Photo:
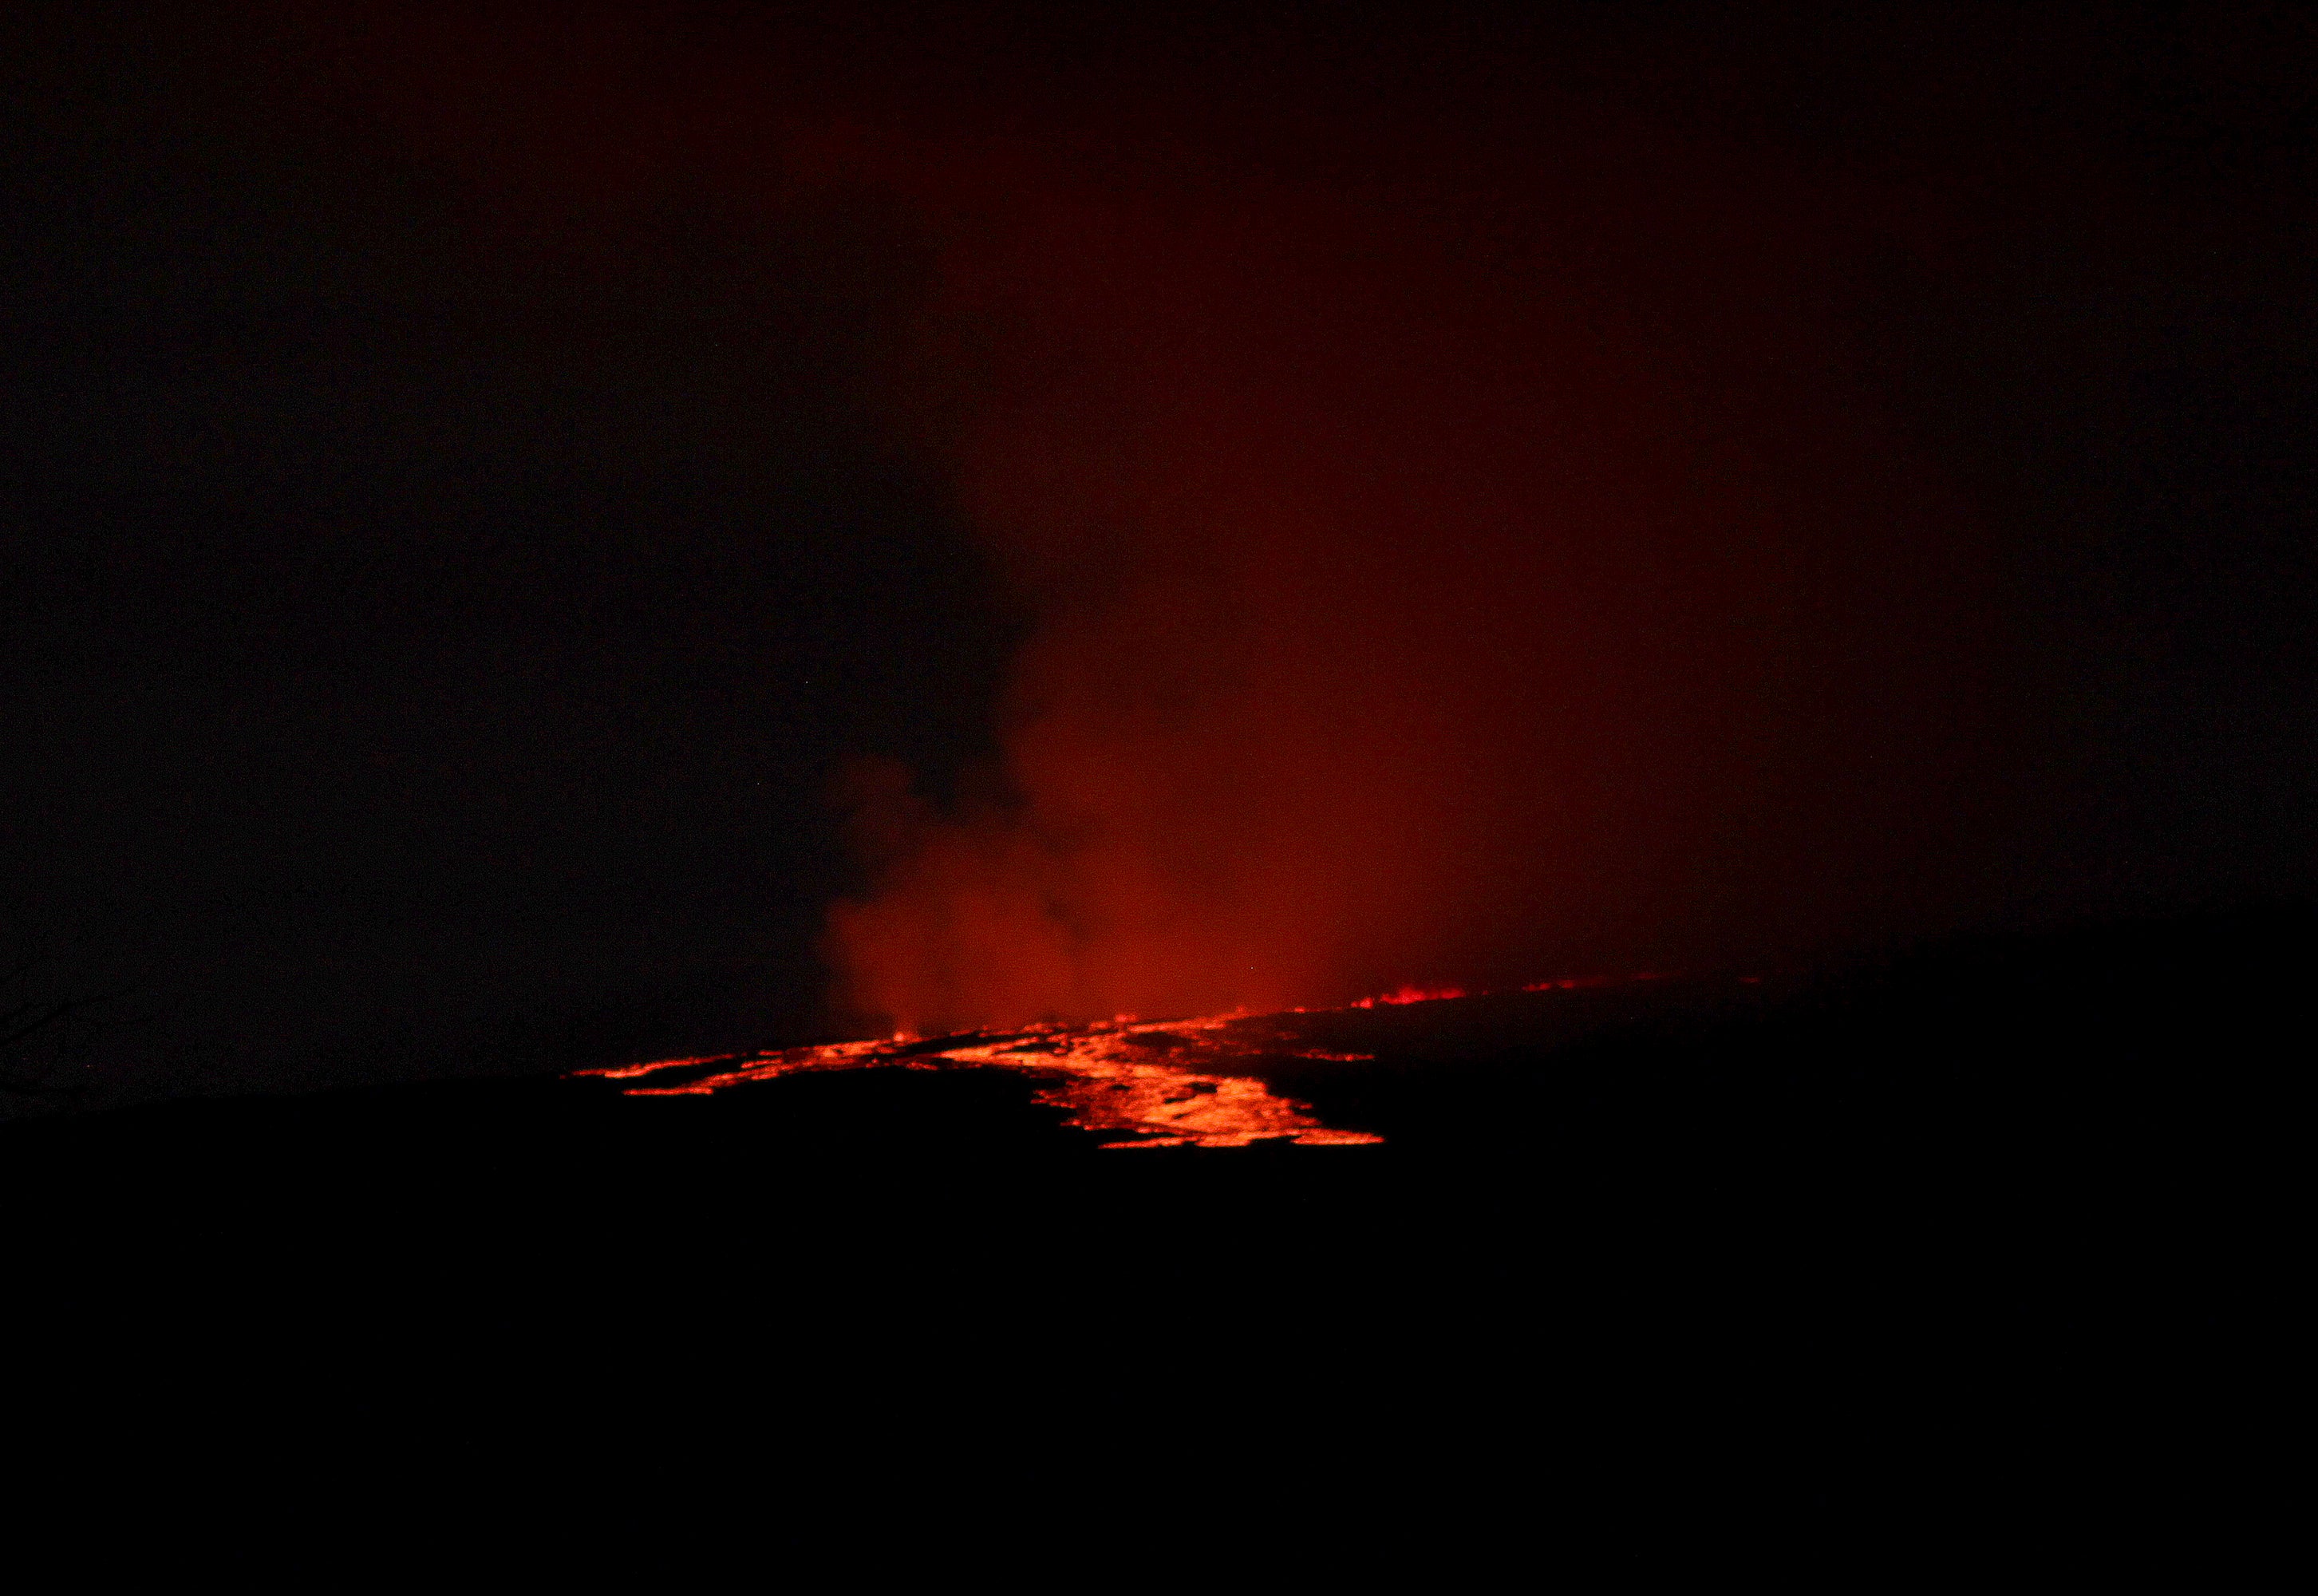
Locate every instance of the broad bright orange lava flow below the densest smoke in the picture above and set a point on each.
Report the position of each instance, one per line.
(1144, 1082)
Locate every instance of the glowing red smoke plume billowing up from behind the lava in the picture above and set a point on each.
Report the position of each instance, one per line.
(1450, 560)
